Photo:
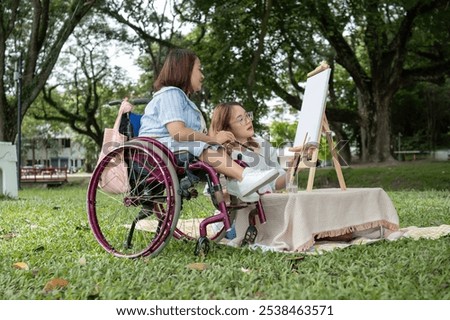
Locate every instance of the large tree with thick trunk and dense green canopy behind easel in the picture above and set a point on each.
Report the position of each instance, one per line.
(268, 47)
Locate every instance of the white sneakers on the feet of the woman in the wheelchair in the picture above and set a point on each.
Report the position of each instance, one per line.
(252, 180)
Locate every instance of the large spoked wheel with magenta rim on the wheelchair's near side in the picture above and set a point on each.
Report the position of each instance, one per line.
(134, 215)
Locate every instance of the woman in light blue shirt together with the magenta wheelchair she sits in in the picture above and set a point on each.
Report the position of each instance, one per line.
(171, 157)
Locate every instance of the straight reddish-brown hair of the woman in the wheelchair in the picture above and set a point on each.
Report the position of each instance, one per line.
(177, 70)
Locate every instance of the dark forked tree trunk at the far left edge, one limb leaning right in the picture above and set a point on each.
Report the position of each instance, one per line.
(45, 42)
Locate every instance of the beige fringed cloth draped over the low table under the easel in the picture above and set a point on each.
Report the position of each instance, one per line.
(294, 220)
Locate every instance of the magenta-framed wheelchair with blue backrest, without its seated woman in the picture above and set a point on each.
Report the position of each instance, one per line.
(160, 199)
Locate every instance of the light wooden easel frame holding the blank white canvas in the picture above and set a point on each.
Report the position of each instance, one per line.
(303, 159)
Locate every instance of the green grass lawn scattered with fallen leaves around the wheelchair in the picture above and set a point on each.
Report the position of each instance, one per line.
(48, 230)
